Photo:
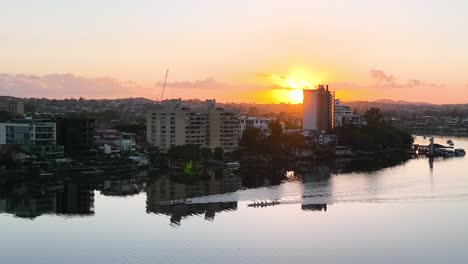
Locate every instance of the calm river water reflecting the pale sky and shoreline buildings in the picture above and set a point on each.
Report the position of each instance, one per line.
(409, 213)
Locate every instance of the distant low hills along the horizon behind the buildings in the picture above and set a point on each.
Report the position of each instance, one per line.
(140, 105)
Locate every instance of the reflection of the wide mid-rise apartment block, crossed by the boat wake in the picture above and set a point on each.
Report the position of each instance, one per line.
(164, 189)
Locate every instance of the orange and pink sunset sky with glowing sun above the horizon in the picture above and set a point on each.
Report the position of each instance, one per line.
(261, 51)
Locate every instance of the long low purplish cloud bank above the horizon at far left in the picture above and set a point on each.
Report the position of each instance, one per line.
(67, 85)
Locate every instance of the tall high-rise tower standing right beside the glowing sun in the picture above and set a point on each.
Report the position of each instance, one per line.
(318, 112)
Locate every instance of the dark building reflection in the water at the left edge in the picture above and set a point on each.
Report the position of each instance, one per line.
(30, 200)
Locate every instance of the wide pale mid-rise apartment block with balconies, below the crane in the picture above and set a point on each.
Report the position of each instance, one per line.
(173, 124)
